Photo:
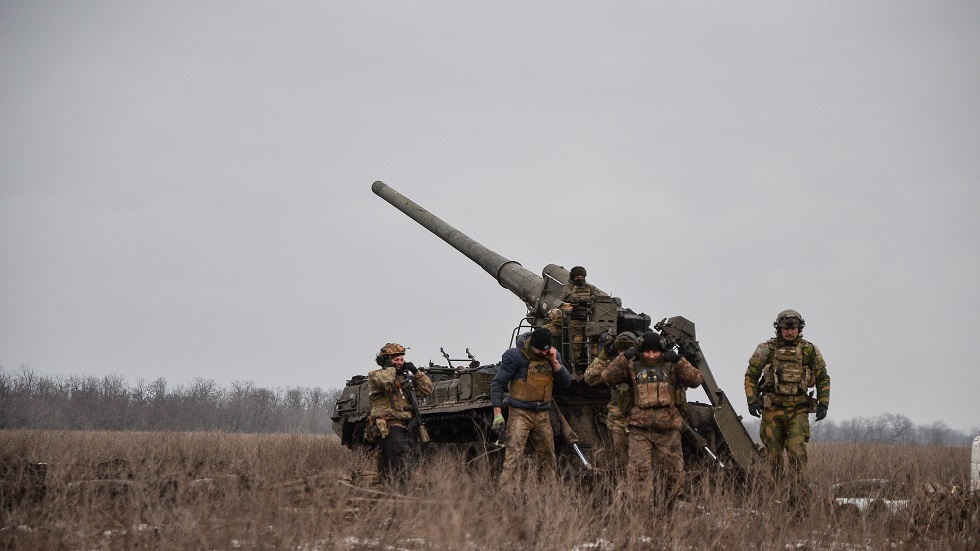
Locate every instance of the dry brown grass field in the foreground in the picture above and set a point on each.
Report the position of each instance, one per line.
(222, 491)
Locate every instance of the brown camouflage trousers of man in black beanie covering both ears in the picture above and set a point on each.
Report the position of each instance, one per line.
(655, 462)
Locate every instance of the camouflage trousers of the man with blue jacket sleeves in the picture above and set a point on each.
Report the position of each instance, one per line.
(522, 423)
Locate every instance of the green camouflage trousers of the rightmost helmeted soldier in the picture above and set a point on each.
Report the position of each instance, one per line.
(786, 428)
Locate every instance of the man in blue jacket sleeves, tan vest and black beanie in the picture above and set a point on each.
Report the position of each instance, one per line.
(528, 374)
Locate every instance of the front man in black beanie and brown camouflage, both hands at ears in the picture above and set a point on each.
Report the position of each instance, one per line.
(659, 379)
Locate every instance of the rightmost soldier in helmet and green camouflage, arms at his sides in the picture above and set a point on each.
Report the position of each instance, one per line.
(787, 365)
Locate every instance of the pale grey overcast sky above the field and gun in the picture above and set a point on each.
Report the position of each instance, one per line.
(185, 186)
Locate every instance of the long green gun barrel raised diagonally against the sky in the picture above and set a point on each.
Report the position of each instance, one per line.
(529, 287)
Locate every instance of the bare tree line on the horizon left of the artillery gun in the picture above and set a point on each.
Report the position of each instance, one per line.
(29, 400)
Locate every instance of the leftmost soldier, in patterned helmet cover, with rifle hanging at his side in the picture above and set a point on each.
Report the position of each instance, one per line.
(391, 412)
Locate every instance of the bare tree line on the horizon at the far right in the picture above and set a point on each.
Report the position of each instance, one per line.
(887, 428)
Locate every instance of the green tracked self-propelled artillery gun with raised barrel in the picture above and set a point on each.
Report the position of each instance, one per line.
(459, 412)
